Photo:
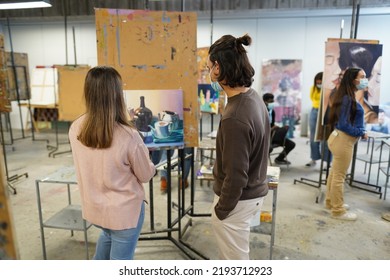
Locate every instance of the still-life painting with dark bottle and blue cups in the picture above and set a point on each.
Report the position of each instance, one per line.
(158, 116)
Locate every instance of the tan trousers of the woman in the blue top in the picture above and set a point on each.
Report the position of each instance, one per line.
(341, 146)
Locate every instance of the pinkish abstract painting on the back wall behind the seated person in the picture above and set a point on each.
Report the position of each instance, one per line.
(282, 78)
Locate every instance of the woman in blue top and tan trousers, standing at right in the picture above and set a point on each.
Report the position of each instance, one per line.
(347, 118)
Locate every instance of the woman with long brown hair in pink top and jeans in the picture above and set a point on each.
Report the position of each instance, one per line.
(112, 162)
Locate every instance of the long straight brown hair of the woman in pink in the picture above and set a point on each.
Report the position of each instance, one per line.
(105, 107)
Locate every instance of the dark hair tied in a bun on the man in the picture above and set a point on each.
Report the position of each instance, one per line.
(231, 56)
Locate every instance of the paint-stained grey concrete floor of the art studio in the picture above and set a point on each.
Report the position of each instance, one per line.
(304, 231)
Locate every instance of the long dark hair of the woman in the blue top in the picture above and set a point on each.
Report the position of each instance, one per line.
(346, 88)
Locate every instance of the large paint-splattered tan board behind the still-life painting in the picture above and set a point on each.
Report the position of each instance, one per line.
(153, 50)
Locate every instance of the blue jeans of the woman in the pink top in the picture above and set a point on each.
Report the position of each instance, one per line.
(119, 244)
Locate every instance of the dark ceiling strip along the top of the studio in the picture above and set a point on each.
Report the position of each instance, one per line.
(85, 8)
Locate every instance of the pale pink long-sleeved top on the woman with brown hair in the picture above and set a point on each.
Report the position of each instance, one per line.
(111, 180)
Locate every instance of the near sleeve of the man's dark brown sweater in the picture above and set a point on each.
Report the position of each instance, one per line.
(235, 158)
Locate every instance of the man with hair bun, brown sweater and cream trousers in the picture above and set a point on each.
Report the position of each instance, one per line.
(242, 146)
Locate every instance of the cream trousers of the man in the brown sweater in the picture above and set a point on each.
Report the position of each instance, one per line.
(232, 233)
